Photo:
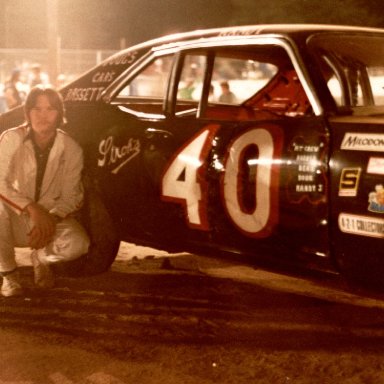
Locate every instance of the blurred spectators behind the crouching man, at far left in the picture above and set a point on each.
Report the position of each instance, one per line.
(14, 90)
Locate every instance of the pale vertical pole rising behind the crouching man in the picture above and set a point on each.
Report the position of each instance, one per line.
(53, 41)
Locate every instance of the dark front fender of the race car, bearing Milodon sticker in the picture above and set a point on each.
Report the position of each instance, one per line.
(357, 195)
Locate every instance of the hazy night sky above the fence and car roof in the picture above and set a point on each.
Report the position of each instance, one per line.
(112, 24)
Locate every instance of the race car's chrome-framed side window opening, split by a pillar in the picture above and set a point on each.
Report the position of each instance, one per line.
(243, 85)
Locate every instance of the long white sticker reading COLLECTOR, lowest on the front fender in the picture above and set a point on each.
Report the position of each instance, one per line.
(361, 225)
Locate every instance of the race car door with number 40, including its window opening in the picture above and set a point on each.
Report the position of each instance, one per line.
(244, 174)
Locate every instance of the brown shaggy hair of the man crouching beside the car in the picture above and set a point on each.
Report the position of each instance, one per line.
(54, 98)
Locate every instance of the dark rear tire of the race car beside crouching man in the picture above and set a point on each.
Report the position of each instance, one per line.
(104, 240)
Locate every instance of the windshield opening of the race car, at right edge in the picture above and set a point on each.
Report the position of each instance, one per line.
(353, 68)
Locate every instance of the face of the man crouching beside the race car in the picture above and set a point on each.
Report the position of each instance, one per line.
(43, 117)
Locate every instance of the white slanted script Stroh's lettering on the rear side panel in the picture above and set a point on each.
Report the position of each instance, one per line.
(117, 156)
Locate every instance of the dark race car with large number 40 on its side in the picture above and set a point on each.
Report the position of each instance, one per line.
(261, 142)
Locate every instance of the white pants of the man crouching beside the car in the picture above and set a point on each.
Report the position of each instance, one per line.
(69, 242)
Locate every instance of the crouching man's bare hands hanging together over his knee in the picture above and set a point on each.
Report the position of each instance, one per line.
(44, 225)
